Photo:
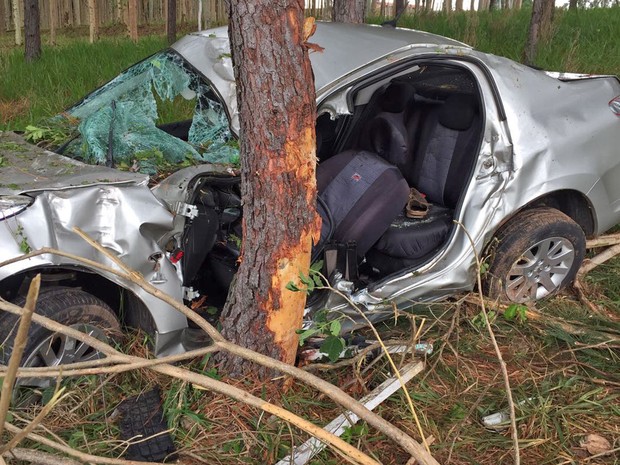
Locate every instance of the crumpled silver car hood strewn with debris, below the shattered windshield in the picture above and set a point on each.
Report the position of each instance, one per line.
(27, 168)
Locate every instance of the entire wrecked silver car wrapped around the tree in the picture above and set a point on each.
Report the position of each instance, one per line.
(430, 154)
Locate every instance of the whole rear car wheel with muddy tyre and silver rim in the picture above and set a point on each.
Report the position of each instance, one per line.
(535, 254)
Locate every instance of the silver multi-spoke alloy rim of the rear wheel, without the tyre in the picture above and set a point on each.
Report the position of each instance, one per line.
(540, 270)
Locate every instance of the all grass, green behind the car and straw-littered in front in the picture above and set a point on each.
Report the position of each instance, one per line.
(564, 368)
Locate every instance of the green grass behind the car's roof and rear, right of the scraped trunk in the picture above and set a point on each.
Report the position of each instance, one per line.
(584, 41)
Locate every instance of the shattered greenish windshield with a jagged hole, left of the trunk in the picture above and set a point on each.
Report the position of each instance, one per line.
(158, 115)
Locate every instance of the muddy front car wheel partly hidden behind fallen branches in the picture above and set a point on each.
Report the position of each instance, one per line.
(71, 307)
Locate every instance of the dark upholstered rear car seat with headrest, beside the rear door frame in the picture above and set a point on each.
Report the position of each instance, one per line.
(445, 150)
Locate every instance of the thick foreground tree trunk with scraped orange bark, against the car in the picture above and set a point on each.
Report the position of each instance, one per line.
(275, 91)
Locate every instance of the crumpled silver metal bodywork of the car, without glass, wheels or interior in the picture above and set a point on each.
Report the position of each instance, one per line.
(544, 135)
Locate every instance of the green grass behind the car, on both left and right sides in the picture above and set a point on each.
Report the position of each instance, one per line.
(581, 41)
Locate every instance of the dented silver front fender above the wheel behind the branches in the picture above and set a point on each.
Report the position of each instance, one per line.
(127, 220)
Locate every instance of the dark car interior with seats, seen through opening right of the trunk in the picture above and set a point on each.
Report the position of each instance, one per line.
(427, 126)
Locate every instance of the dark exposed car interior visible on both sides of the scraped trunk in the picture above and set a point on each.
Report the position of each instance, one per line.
(421, 129)
